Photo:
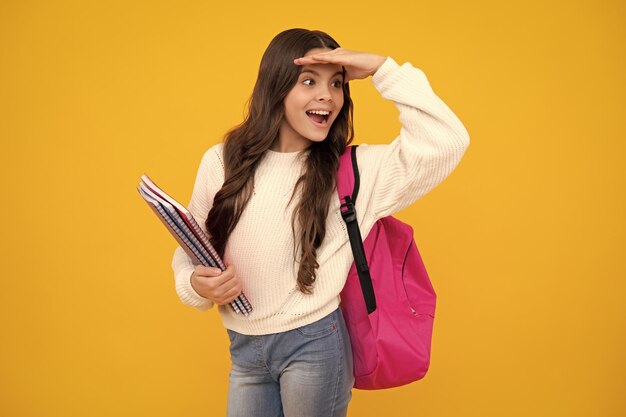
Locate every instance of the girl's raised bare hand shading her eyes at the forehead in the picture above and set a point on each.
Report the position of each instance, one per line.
(358, 65)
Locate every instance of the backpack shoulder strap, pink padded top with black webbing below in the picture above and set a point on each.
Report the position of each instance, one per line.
(348, 189)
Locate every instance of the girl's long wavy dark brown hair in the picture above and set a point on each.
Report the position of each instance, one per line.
(246, 143)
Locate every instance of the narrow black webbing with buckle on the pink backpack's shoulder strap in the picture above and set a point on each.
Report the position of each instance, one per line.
(356, 241)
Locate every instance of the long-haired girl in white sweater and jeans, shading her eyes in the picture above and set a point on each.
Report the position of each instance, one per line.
(269, 199)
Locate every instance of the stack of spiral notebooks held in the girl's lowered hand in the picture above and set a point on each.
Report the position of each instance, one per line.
(187, 233)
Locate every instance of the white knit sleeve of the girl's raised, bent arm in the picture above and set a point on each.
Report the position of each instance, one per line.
(430, 145)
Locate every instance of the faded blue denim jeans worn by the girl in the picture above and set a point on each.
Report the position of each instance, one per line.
(304, 372)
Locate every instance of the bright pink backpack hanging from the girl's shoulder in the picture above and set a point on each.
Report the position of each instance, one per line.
(389, 306)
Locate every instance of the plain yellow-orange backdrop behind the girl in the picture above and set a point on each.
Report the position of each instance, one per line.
(524, 242)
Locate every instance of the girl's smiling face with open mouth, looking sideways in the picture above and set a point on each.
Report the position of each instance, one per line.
(312, 105)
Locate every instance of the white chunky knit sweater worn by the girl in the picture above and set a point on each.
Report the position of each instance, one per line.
(431, 143)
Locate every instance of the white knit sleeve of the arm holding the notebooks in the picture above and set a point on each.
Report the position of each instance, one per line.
(209, 179)
